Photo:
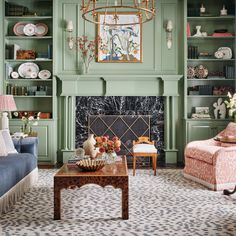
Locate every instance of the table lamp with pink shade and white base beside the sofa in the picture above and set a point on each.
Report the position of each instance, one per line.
(7, 104)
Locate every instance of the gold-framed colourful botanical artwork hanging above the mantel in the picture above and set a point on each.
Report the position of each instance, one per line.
(119, 44)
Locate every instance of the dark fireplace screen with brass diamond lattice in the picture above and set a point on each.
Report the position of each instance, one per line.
(126, 127)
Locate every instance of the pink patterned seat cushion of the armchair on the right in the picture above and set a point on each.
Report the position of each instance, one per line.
(197, 150)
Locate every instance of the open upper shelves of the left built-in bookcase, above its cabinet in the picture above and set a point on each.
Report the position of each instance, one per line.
(28, 39)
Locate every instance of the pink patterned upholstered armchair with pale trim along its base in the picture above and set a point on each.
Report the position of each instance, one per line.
(212, 163)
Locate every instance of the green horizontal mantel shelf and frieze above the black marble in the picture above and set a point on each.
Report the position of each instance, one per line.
(118, 85)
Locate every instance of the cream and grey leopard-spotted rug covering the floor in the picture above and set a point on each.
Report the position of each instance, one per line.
(166, 204)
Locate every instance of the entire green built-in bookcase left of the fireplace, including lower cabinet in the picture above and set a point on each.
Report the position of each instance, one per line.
(28, 66)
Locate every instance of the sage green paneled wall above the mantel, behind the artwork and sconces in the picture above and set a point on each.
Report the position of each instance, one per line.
(157, 59)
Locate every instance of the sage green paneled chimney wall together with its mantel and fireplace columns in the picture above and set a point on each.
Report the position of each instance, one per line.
(121, 79)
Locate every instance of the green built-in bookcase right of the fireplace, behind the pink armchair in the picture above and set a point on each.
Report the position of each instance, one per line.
(209, 65)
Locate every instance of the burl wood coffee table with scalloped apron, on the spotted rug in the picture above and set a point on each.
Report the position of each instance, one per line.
(70, 176)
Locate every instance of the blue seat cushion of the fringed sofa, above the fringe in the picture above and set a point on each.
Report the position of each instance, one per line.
(14, 168)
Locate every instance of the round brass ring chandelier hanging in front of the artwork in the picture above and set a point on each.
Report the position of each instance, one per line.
(144, 9)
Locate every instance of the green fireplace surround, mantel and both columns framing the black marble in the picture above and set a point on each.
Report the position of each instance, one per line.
(125, 85)
